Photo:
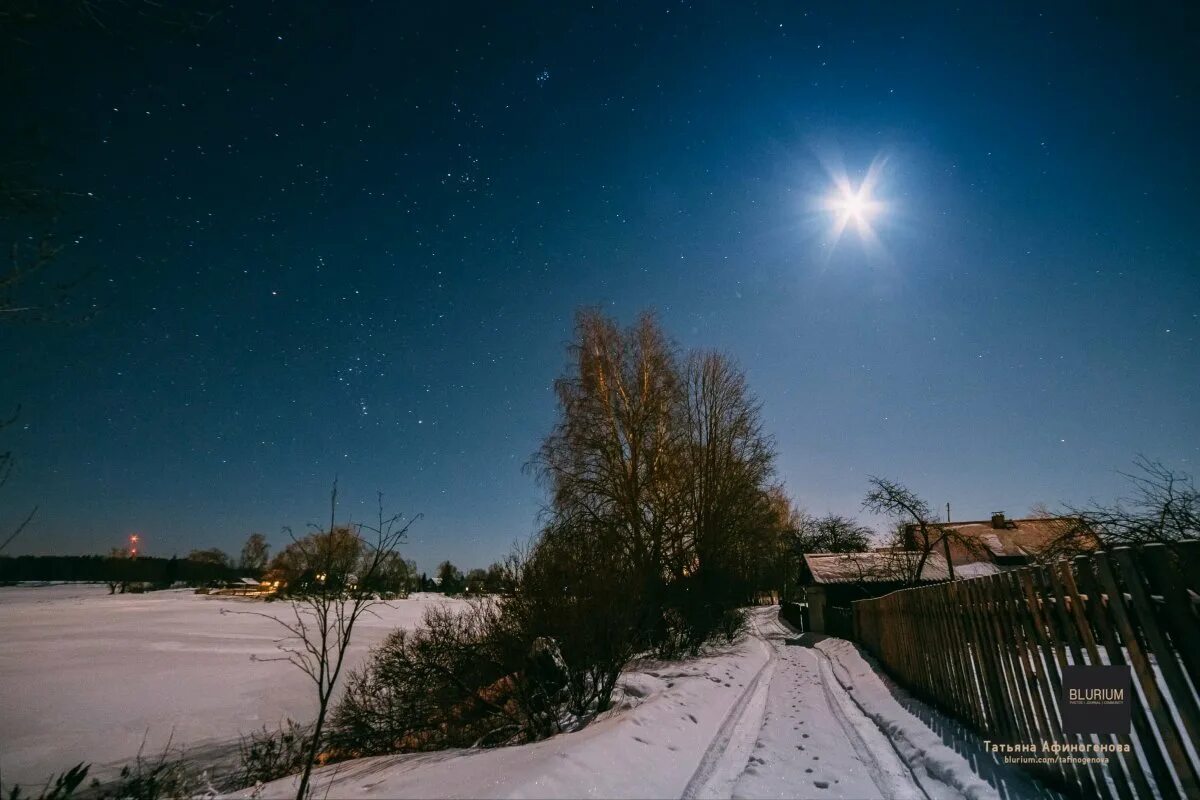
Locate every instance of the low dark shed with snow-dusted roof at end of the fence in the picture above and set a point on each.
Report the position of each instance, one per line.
(832, 581)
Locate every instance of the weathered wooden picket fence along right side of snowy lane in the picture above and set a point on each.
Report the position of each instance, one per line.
(991, 652)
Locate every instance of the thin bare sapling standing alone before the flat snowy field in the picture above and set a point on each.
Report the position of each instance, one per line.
(326, 609)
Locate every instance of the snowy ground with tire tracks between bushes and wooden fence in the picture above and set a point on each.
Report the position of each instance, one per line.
(776, 715)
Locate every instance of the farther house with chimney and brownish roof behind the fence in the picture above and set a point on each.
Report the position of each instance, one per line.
(991, 546)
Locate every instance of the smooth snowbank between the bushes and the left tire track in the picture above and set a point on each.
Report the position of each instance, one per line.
(650, 747)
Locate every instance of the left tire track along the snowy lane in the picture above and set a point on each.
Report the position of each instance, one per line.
(728, 755)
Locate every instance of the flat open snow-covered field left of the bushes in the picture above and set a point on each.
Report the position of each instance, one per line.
(87, 676)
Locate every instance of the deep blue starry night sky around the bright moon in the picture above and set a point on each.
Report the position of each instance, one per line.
(347, 240)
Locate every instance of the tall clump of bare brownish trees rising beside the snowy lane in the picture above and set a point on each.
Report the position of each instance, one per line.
(663, 466)
